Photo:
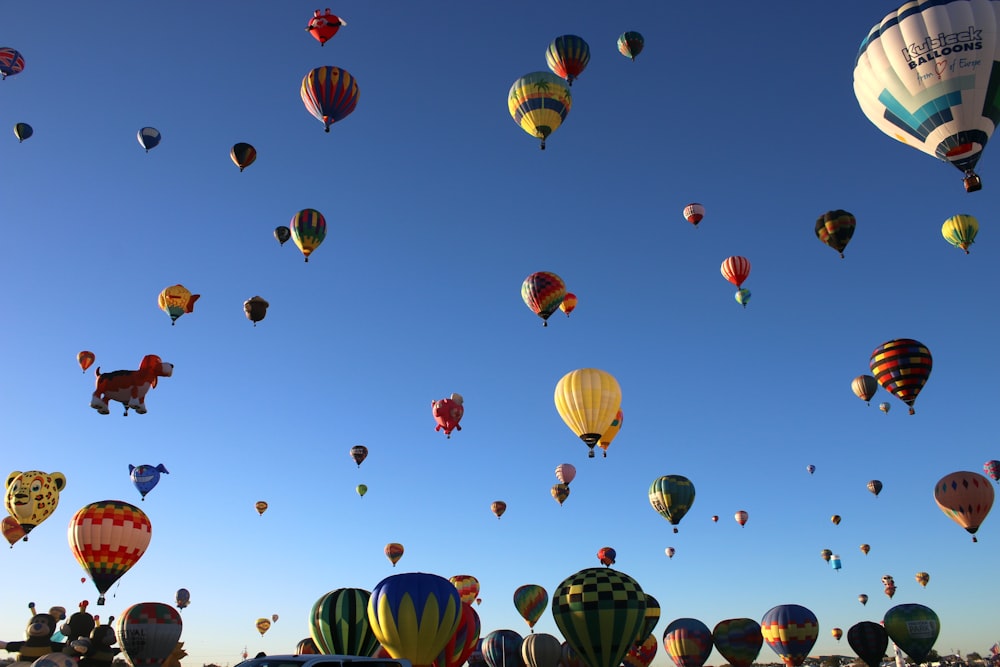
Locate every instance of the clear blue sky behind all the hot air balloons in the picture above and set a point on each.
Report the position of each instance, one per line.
(438, 206)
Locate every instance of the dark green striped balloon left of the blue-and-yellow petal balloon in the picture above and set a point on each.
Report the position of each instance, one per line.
(338, 623)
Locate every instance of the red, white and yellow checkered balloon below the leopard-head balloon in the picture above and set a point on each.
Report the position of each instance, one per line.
(107, 538)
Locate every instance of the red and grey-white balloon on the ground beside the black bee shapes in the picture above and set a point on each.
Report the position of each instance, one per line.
(148, 633)
